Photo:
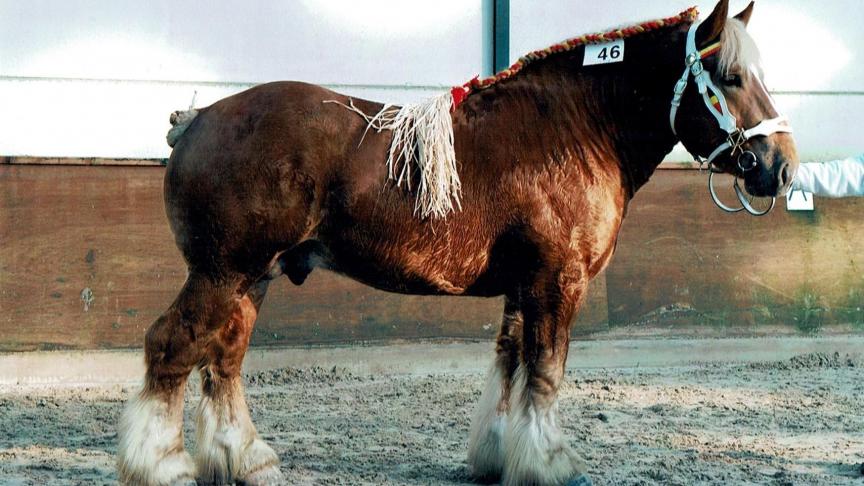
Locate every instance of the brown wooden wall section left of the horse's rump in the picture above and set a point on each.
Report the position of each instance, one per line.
(66, 229)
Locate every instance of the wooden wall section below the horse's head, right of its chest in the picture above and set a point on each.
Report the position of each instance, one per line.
(683, 262)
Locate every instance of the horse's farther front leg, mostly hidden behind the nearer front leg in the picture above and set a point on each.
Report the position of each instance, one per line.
(486, 441)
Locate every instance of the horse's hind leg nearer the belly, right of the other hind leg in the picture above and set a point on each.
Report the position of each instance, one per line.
(228, 445)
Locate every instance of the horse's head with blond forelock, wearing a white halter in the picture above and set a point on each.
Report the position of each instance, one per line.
(722, 110)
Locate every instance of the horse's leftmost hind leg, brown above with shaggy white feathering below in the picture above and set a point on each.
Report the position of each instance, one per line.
(150, 450)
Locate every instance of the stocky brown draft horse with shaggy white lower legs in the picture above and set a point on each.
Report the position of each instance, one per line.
(274, 180)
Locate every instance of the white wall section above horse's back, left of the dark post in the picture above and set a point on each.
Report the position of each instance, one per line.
(87, 78)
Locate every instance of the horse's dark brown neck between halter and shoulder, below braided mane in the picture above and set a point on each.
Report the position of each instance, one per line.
(603, 116)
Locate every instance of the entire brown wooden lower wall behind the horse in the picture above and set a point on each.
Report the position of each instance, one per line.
(681, 265)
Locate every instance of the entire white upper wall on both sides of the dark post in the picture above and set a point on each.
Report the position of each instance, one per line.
(99, 78)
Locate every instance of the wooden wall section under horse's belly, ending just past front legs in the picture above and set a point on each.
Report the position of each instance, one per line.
(330, 308)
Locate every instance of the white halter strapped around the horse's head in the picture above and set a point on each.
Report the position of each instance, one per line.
(737, 136)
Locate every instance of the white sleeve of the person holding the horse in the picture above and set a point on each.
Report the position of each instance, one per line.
(838, 178)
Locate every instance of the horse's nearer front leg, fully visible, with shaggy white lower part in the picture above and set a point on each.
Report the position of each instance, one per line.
(536, 451)
